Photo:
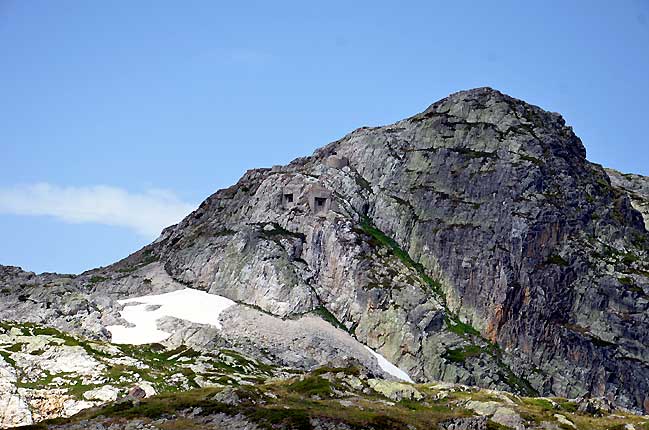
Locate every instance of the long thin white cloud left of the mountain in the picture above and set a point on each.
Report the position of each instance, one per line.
(146, 213)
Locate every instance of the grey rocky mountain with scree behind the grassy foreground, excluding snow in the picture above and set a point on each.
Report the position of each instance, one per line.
(472, 244)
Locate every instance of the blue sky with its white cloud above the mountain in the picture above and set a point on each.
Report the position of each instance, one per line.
(117, 113)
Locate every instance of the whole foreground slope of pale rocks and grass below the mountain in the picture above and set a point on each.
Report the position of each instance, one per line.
(65, 382)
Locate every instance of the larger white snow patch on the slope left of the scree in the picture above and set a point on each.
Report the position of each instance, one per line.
(187, 304)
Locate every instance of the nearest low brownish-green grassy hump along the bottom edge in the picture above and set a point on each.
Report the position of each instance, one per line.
(345, 399)
